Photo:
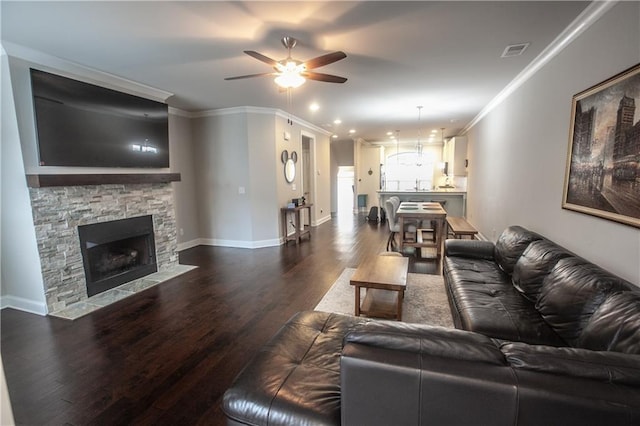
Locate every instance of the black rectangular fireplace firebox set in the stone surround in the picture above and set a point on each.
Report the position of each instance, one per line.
(117, 252)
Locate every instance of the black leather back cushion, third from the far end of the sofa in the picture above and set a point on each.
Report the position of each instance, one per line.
(572, 292)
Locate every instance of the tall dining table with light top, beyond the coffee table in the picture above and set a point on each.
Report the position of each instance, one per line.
(421, 212)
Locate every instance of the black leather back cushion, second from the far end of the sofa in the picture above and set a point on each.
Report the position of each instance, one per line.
(534, 265)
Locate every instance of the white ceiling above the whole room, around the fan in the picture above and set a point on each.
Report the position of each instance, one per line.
(444, 56)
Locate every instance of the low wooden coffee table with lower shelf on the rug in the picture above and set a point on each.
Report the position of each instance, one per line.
(385, 278)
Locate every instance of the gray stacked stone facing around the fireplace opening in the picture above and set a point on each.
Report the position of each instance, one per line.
(58, 211)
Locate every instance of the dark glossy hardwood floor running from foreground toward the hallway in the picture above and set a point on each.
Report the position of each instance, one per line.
(166, 355)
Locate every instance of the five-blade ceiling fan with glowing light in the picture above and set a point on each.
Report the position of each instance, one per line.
(291, 73)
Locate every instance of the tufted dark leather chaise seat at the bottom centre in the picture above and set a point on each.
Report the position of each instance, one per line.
(295, 378)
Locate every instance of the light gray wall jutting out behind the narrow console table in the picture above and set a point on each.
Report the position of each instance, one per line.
(240, 184)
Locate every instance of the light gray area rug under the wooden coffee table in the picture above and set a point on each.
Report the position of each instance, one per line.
(425, 299)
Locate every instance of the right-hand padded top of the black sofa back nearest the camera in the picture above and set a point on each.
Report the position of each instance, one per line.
(604, 366)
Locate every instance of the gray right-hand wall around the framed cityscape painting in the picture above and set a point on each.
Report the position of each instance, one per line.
(517, 153)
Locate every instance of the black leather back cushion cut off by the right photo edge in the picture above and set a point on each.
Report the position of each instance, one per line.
(615, 325)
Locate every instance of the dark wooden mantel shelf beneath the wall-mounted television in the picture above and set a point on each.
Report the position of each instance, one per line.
(42, 181)
